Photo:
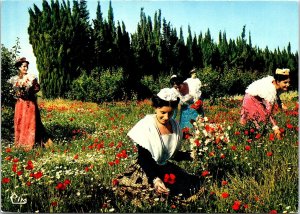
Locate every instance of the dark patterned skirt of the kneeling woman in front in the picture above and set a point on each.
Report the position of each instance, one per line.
(133, 184)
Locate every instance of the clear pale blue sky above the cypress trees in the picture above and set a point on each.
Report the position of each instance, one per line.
(271, 23)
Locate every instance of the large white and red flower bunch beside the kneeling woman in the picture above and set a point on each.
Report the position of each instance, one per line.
(209, 140)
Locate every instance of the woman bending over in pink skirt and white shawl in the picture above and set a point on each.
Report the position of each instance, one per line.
(260, 98)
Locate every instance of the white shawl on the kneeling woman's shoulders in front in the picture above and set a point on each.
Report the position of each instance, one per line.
(146, 134)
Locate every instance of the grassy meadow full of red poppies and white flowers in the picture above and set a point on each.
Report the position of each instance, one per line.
(244, 170)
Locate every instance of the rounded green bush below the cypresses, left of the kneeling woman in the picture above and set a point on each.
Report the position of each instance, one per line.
(99, 87)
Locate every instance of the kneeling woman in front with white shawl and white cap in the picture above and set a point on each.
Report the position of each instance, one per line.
(158, 139)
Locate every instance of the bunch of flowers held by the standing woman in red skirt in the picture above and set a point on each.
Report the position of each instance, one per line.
(21, 86)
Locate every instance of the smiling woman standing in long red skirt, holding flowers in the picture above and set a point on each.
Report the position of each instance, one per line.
(27, 120)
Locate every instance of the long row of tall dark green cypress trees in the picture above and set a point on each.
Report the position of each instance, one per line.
(73, 53)
